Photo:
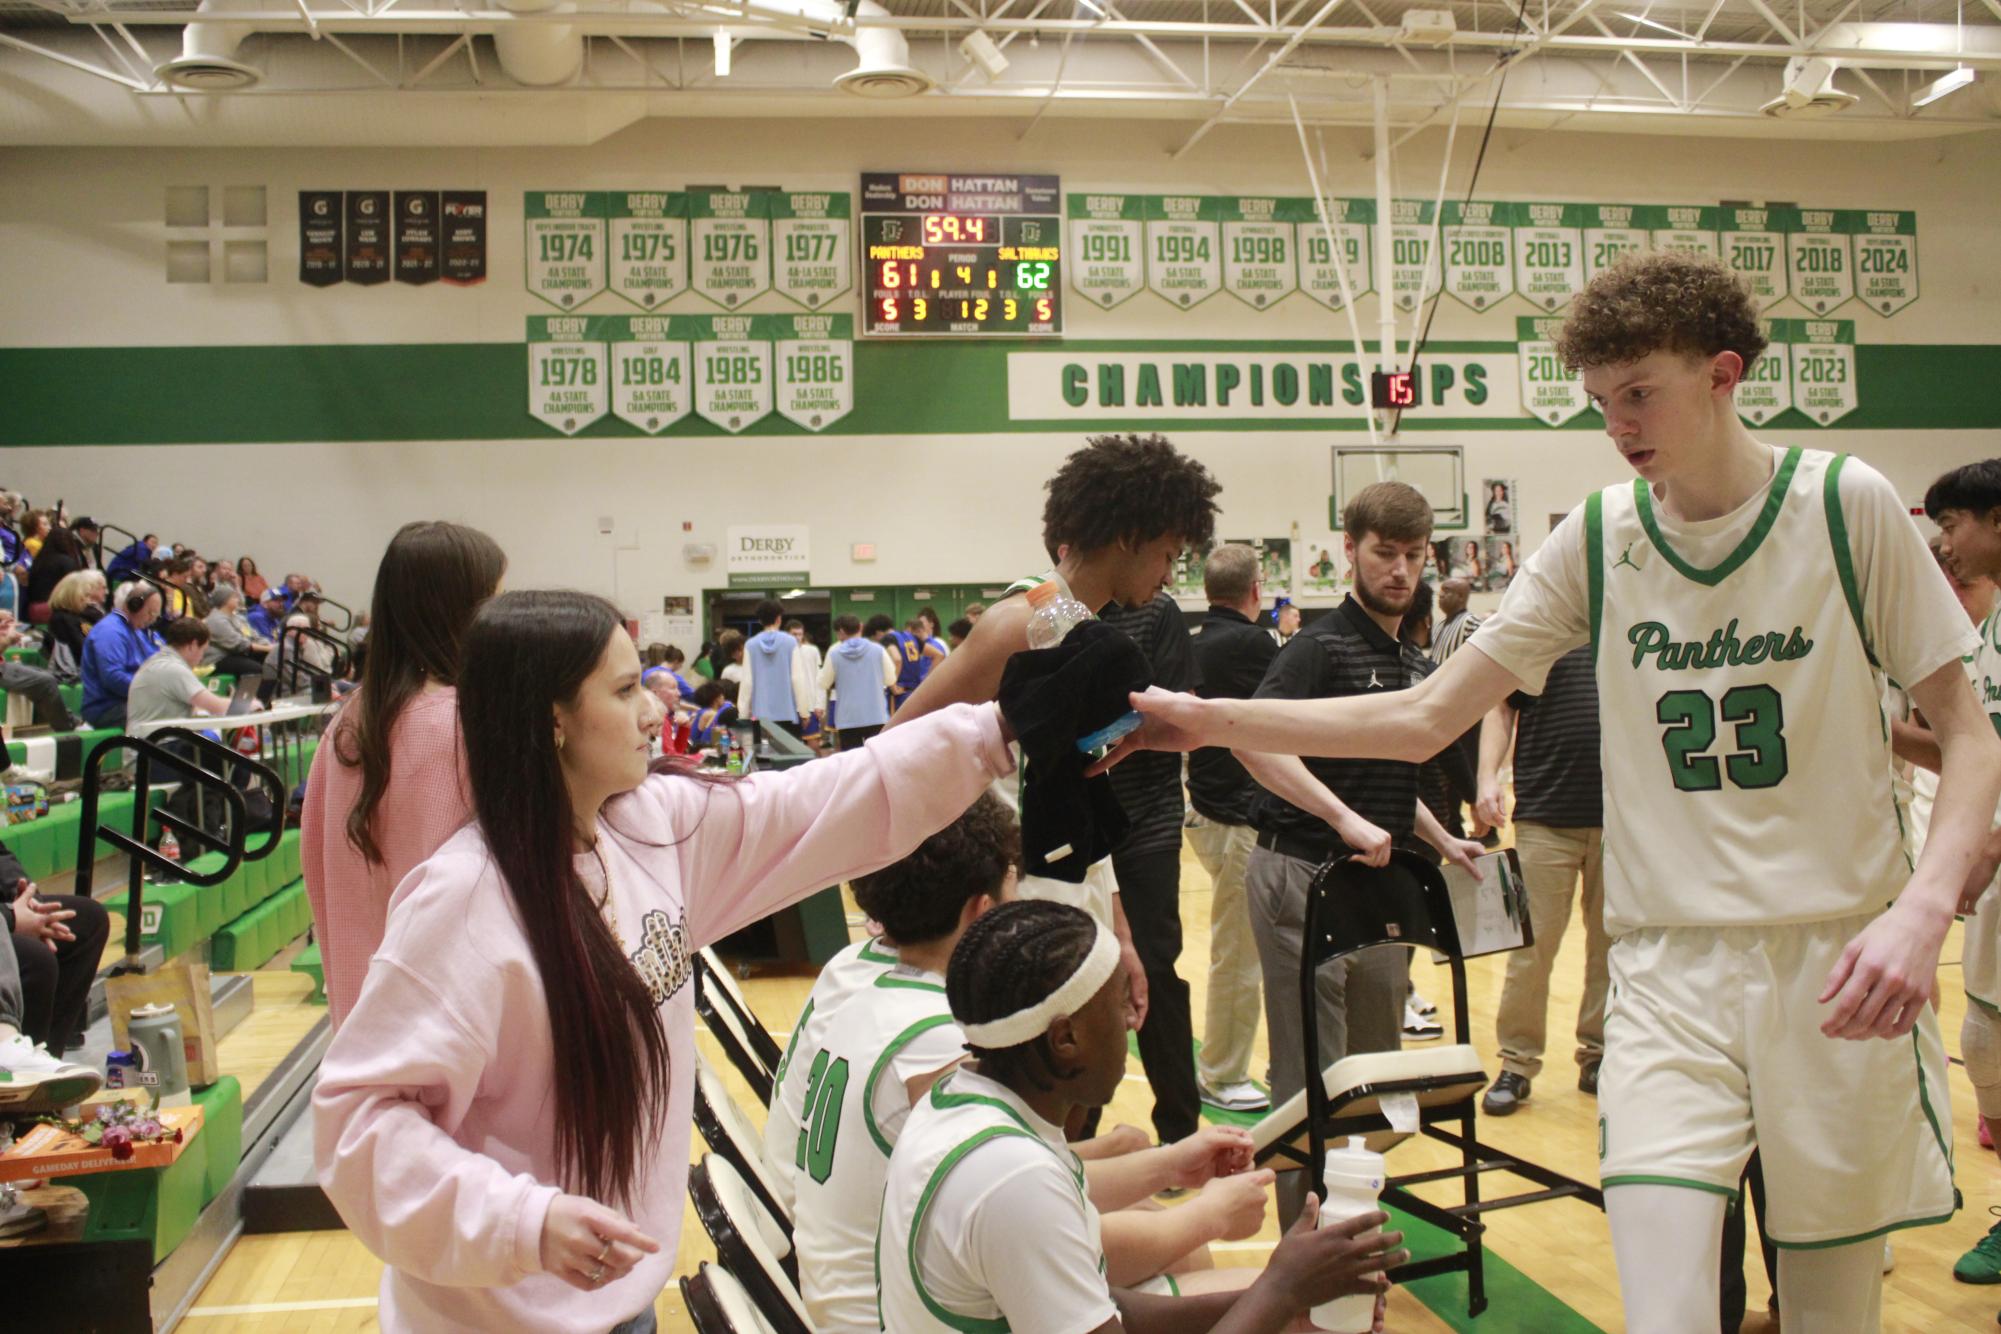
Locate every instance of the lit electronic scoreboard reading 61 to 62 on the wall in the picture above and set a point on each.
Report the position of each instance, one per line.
(961, 255)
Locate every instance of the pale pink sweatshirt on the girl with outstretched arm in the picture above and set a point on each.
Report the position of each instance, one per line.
(435, 1115)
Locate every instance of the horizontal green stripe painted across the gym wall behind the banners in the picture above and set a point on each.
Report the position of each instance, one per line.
(479, 393)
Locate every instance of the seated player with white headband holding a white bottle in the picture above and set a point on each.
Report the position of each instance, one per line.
(989, 1217)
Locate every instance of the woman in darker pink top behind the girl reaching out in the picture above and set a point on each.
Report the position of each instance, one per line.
(387, 789)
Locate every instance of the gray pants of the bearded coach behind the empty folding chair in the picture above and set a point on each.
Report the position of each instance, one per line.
(1360, 997)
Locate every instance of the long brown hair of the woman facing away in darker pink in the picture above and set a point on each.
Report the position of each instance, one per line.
(433, 577)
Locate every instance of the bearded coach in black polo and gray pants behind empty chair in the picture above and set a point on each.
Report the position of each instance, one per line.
(1314, 811)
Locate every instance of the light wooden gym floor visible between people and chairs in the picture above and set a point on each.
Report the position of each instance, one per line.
(325, 1281)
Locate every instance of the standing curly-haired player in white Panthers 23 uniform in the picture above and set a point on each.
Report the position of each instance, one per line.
(1774, 951)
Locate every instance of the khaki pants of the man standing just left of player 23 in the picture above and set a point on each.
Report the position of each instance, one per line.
(1552, 863)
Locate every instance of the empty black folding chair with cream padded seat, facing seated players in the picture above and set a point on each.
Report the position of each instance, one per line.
(1350, 909)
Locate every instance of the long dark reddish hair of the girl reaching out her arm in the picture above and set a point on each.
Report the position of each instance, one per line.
(525, 655)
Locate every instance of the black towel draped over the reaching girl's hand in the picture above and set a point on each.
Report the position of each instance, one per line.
(1052, 697)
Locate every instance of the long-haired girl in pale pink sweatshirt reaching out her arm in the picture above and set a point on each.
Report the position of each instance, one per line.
(505, 1115)
